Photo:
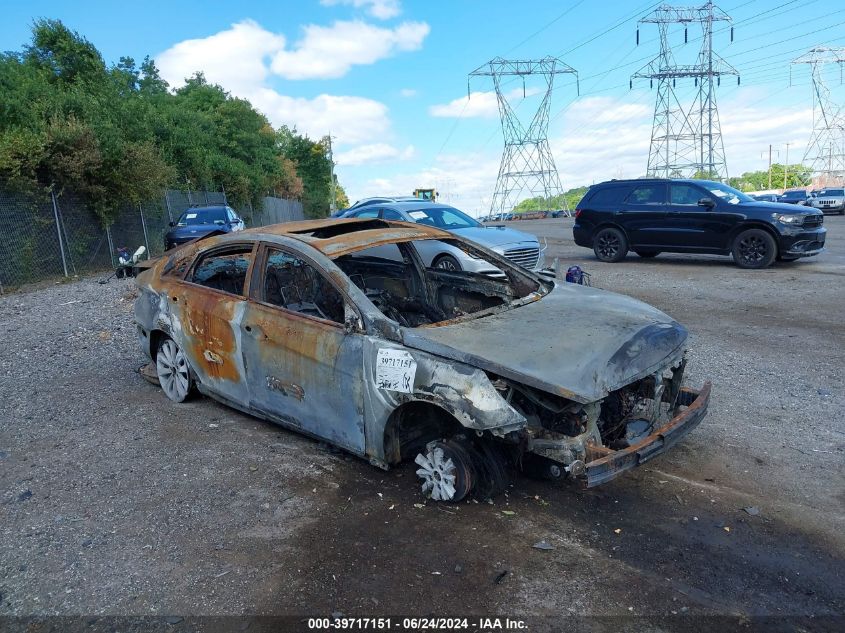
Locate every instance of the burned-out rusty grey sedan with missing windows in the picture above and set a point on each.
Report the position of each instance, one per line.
(313, 326)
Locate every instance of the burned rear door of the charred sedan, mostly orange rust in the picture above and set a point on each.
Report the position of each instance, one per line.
(209, 306)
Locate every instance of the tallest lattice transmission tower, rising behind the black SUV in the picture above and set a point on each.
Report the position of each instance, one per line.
(686, 139)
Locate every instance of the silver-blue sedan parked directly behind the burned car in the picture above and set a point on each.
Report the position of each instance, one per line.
(521, 248)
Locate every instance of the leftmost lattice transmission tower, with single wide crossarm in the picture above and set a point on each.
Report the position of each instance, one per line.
(527, 163)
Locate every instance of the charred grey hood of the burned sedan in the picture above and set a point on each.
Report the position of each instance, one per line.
(577, 342)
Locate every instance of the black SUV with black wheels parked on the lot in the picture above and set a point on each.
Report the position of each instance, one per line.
(650, 216)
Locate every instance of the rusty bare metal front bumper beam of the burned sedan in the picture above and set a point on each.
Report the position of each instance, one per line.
(612, 464)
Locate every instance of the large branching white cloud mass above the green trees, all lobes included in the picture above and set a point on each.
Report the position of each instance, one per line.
(245, 58)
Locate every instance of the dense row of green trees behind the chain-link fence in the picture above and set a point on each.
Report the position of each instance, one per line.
(112, 134)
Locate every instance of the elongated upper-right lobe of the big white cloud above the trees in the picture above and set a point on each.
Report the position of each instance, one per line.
(328, 52)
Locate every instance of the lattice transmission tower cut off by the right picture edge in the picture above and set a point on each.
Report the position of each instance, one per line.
(825, 153)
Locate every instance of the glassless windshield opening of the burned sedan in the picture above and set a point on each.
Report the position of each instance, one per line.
(407, 283)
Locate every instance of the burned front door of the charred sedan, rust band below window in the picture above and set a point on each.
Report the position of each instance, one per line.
(304, 364)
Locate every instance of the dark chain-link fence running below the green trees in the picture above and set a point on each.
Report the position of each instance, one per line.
(46, 238)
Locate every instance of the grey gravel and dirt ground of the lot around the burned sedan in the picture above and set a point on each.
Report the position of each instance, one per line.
(116, 501)
